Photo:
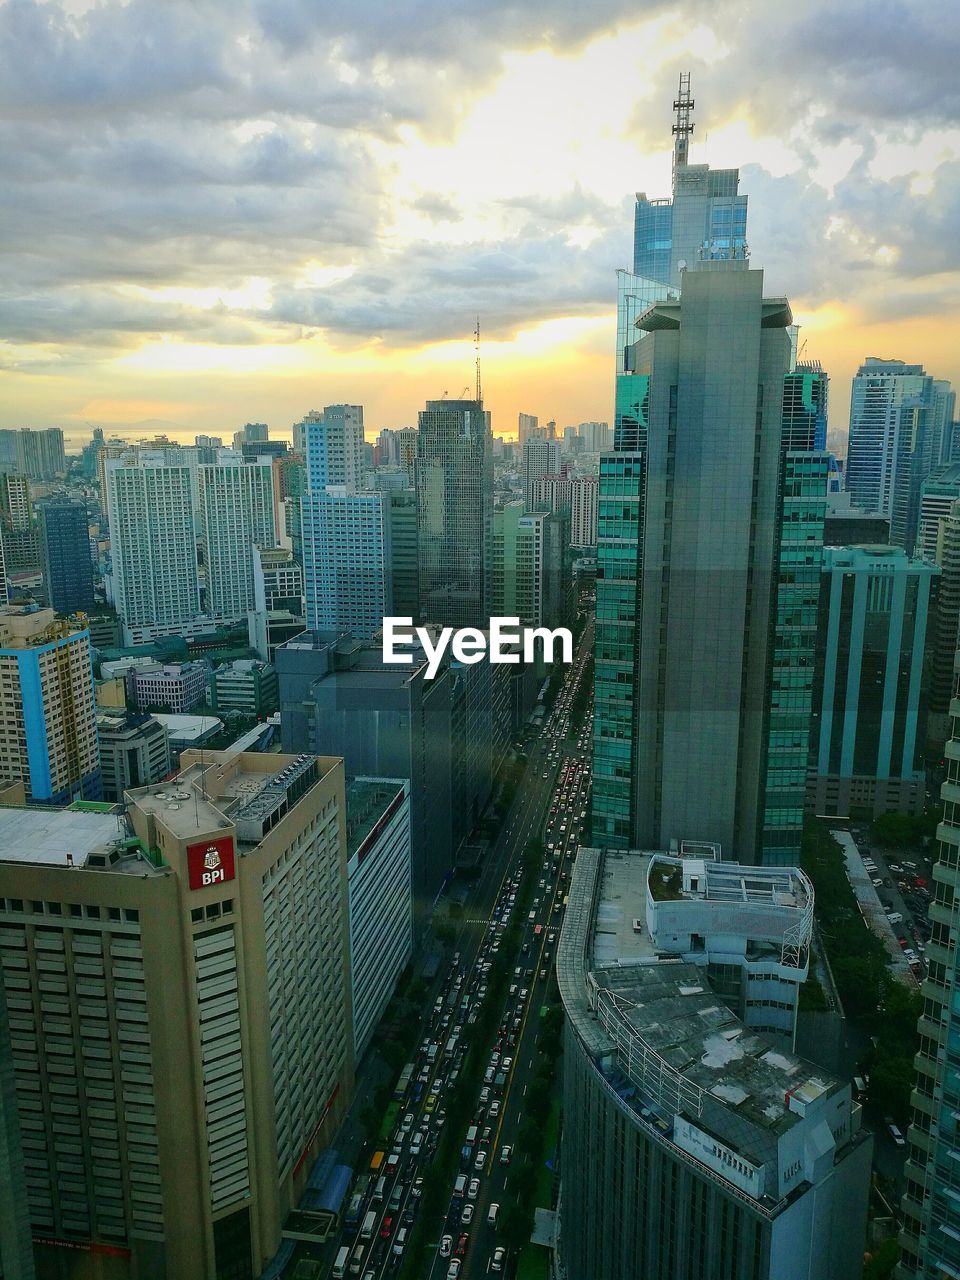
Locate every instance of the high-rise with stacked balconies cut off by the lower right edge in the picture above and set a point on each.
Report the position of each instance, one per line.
(931, 1217)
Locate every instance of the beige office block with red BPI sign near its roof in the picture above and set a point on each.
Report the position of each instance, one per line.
(203, 1014)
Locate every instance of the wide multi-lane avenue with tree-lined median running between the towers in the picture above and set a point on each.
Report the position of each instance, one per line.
(551, 804)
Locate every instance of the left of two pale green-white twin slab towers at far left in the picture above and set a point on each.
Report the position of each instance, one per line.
(153, 547)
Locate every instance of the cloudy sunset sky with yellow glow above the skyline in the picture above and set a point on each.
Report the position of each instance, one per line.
(218, 212)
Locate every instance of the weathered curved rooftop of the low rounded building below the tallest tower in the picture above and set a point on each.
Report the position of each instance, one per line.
(651, 1022)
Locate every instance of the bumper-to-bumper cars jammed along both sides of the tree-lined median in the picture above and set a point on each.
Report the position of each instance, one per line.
(387, 1200)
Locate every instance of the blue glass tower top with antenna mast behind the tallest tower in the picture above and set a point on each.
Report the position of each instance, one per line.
(706, 220)
